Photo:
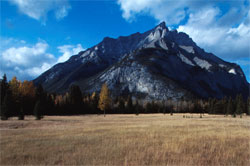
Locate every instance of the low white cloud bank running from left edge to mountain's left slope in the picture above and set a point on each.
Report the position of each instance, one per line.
(29, 61)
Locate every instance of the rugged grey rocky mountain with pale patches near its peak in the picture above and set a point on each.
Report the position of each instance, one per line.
(157, 64)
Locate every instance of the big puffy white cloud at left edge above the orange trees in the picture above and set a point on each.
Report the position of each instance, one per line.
(25, 61)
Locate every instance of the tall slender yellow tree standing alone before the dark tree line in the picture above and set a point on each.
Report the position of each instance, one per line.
(104, 101)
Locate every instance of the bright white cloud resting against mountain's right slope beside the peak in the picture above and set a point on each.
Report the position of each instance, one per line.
(225, 41)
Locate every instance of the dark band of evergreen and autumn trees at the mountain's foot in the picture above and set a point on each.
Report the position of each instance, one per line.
(23, 98)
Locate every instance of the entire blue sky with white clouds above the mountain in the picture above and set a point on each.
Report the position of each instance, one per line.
(36, 34)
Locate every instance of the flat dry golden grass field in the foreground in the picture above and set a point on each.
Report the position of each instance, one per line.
(152, 139)
